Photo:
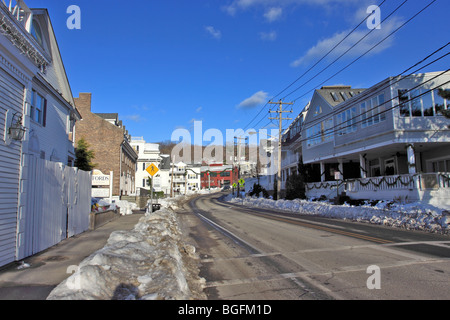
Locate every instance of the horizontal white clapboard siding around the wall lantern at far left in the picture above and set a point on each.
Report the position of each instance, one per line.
(11, 101)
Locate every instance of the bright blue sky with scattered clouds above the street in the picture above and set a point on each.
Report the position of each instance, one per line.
(162, 65)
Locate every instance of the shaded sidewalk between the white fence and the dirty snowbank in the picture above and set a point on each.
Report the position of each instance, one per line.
(49, 268)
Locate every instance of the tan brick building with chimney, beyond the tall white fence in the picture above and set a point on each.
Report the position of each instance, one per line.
(110, 141)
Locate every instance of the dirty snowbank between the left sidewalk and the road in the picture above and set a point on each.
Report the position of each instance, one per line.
(147, 263)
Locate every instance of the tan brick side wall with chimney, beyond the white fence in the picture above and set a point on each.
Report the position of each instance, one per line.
(105, 139)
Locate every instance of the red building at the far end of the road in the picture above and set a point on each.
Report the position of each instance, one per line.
(218, 175)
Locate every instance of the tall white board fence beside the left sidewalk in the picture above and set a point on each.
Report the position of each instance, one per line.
(56, 205)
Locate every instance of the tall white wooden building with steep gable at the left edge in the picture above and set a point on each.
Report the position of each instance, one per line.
(34, 95)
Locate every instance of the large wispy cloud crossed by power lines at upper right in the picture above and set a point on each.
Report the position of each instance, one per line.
(325, 45)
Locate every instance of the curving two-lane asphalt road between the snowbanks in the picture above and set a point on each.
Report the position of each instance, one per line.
(255, 254)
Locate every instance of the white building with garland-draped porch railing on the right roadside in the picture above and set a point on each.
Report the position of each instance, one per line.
(389, 141)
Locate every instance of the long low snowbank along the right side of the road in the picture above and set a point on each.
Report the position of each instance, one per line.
(416, 216)
